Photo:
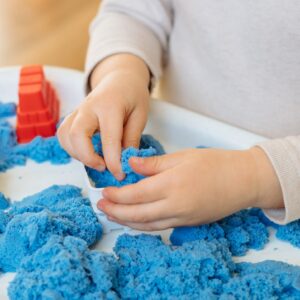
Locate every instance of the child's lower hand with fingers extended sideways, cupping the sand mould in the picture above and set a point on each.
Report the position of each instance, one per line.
(193, 187)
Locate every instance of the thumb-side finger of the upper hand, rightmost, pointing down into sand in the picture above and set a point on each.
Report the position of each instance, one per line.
(134, 128)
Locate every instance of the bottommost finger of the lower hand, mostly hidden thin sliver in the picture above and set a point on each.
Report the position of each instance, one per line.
(150, 226)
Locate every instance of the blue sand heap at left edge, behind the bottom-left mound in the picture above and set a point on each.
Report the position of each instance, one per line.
(58, 210)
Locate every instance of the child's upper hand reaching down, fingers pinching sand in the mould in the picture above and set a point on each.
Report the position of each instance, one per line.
(117, 107)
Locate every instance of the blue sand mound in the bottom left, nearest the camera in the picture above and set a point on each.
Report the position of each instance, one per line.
(64, 268)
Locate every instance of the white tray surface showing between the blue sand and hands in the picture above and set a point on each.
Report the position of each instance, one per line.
(174, 127)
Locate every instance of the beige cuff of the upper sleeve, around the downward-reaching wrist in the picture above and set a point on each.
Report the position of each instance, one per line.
(117, 33)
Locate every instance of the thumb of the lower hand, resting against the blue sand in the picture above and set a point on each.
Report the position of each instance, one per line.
(153, 165)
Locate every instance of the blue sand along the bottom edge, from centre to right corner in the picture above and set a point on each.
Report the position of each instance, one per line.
(149, 269)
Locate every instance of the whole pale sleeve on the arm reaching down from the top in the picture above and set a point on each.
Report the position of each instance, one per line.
(133, 26)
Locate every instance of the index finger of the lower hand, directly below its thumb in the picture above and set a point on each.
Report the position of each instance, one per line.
(147, 190)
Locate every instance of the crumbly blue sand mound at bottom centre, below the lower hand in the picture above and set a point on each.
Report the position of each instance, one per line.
(148, 268)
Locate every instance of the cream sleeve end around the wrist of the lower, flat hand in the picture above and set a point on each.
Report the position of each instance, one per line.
(284, 155)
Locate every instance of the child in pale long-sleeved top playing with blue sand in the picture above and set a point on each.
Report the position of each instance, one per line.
(236, 61)
